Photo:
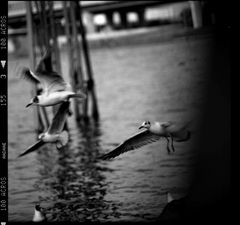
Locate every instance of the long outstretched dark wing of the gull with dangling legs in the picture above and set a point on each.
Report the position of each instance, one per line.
(134, 142)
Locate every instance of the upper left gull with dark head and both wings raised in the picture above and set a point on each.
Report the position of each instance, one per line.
(55, 89)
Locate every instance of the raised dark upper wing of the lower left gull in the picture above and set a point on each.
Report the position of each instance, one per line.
(59, 119)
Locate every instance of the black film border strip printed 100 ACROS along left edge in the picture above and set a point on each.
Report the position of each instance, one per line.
(3, 113)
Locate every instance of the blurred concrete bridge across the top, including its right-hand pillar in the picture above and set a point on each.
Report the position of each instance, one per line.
(104, 16)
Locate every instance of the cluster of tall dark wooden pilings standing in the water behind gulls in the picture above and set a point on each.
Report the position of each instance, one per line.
(42, 30)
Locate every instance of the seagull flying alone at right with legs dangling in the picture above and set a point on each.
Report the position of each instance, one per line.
(152, 132)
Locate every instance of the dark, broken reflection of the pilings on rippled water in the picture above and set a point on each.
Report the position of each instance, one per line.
(72, 185)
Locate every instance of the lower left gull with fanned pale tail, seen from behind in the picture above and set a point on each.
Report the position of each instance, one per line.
(54, 134)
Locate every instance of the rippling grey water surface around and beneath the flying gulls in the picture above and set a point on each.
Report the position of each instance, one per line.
(156, 82)
